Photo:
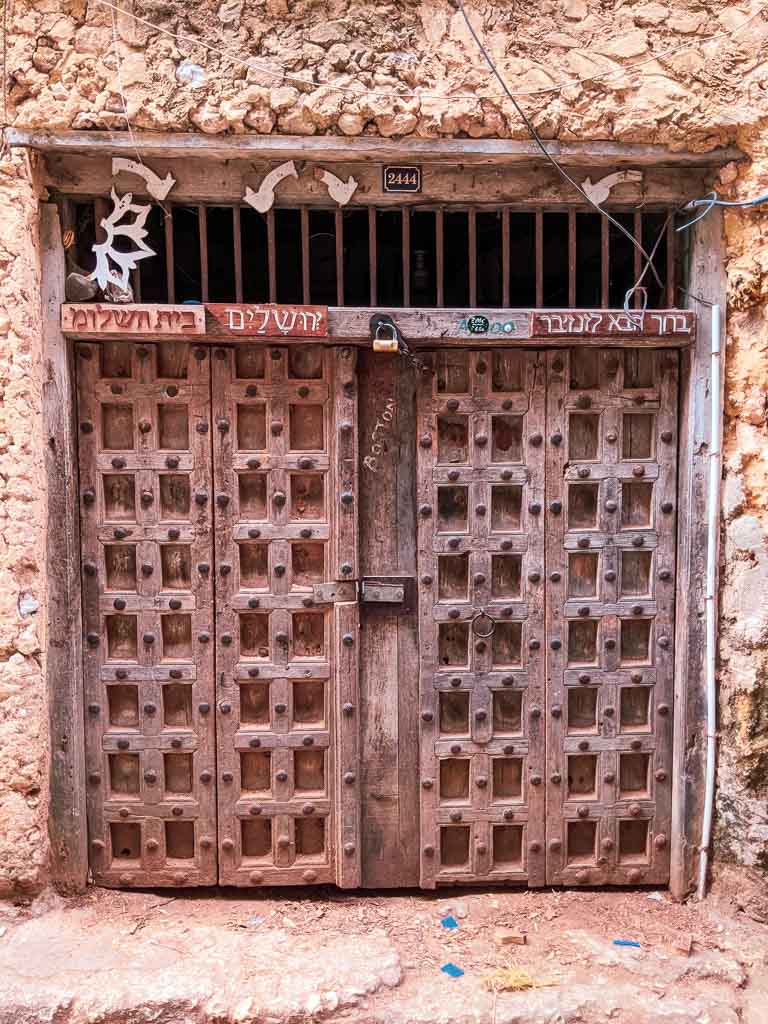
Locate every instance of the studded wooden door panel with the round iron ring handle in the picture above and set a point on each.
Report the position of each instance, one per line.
(481, 496)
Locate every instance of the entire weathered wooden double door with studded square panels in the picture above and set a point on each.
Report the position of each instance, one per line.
(227, 660)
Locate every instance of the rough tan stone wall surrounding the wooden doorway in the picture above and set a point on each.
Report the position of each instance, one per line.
(63, 74)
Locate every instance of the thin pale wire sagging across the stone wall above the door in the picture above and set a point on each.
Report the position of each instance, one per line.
(363, 91)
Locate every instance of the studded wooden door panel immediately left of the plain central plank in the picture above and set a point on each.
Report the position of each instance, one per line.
(285, 453)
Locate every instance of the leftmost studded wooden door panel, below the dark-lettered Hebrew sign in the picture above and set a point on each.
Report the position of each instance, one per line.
(146, 483)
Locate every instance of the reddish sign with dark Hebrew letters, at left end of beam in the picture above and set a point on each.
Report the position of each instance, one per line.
(95, 318)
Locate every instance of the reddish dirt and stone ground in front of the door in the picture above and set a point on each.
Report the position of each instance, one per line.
(229, 957)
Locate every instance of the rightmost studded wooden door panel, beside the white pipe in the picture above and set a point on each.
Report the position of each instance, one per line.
(612, 421)
